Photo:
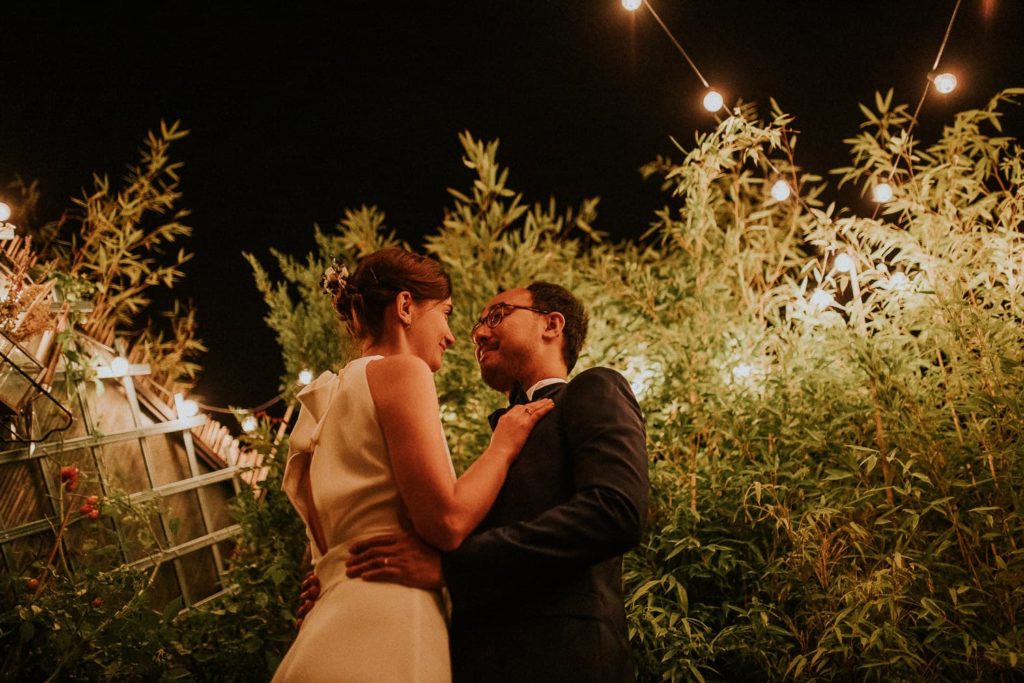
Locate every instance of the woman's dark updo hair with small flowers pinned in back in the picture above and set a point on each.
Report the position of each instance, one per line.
(362, 298)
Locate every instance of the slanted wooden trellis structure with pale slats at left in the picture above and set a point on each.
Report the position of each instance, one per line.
(126, 435)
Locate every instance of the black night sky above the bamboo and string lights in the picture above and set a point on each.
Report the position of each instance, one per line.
(298, 113)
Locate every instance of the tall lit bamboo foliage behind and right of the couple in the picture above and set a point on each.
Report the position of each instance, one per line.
(833, 398)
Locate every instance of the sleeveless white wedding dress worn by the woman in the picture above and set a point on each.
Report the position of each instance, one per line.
(358, 631)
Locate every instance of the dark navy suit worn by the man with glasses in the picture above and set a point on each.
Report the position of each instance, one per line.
(537, 589)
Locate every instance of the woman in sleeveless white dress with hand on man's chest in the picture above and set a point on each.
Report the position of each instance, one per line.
(368, 456)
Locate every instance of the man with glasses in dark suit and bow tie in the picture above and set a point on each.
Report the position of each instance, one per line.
(537, 589)
